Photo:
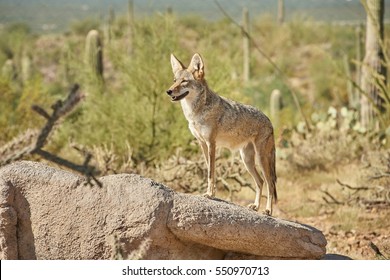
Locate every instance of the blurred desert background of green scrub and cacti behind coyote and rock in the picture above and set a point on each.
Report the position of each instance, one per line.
(312, 66)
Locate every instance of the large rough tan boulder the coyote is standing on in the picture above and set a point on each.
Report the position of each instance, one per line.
(48, 213)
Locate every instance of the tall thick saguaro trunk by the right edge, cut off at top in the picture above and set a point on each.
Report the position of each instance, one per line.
(373, 69)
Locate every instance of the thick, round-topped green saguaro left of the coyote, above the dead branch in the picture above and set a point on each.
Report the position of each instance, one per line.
(94, 54)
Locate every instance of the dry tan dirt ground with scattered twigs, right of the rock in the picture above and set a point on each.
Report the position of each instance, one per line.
(352, 212)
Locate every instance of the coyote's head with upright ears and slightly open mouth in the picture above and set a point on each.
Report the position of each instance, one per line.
(186, 81)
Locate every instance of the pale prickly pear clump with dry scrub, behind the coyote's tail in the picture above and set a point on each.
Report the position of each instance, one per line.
(336, 138)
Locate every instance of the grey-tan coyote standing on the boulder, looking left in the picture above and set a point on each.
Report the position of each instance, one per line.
(217, 121)
